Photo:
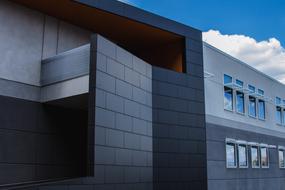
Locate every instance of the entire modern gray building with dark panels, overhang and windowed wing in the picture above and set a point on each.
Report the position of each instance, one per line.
(97, 94)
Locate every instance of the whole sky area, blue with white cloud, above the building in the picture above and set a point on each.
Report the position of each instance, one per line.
(250, 30)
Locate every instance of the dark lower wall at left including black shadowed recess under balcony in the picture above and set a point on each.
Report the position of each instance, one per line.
(40, 142)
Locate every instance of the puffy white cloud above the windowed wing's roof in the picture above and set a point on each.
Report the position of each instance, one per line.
(267, 56)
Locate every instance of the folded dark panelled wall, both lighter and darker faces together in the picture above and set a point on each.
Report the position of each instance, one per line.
(149, 125)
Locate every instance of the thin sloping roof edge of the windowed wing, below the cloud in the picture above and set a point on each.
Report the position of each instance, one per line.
(242, 63)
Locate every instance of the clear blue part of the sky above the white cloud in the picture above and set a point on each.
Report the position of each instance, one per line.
(260, 19)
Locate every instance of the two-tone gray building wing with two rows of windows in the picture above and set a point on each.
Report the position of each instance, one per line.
(245, 125)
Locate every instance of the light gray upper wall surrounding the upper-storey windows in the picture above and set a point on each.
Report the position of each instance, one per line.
(219, 63)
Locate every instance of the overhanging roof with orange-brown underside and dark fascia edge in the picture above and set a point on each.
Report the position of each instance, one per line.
(159, 46)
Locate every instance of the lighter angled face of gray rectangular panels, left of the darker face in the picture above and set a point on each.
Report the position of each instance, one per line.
(123, 131)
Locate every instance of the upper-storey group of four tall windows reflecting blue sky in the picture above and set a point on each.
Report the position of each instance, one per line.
(236, 89)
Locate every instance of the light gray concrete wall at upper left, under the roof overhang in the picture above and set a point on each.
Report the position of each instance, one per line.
(27, 36)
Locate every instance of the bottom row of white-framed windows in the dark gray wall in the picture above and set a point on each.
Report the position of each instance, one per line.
(237, 154)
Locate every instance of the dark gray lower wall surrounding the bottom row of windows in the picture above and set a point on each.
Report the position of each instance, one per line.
(220, 178)
